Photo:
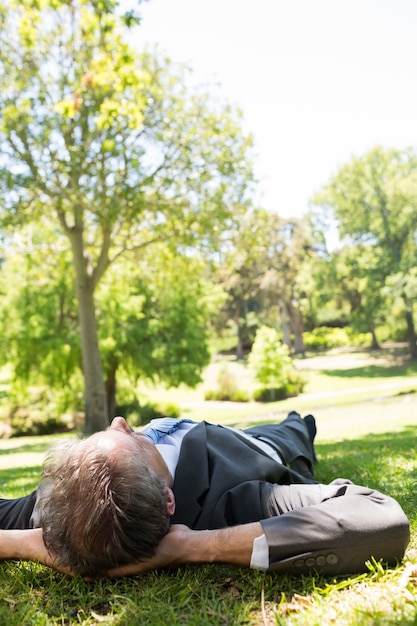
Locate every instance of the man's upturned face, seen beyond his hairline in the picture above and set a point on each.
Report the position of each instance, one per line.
(119, 438)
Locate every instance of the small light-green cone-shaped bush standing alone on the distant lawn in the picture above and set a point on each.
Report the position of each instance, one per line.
(273, 366)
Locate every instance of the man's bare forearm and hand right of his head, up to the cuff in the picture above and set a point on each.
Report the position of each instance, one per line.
(182, 545)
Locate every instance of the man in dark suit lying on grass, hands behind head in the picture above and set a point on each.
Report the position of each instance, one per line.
(121, 503)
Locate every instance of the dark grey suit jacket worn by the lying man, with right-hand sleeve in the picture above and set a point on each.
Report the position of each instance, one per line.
(222, 479)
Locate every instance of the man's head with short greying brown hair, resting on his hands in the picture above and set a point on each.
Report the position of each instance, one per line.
(104, 501)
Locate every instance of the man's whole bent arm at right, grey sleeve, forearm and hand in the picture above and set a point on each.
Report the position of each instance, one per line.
(332, 529)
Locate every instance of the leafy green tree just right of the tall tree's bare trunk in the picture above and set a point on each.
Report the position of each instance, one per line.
(153, 321)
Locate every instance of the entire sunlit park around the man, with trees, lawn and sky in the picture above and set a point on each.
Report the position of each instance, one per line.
(150, 266)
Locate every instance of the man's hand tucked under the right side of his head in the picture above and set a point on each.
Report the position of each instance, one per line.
(169, 553)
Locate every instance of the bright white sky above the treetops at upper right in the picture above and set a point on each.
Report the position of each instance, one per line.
(319, 81)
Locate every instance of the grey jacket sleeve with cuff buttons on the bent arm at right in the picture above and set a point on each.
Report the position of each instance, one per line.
(332, 529)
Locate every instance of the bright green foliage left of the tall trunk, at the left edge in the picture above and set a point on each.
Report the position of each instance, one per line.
(38, 318)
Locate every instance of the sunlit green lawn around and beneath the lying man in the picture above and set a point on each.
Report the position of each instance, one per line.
(367, 431)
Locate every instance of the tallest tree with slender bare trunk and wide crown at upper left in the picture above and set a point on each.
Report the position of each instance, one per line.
(115, 146)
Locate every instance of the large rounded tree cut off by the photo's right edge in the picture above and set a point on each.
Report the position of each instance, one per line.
(374, 201)
